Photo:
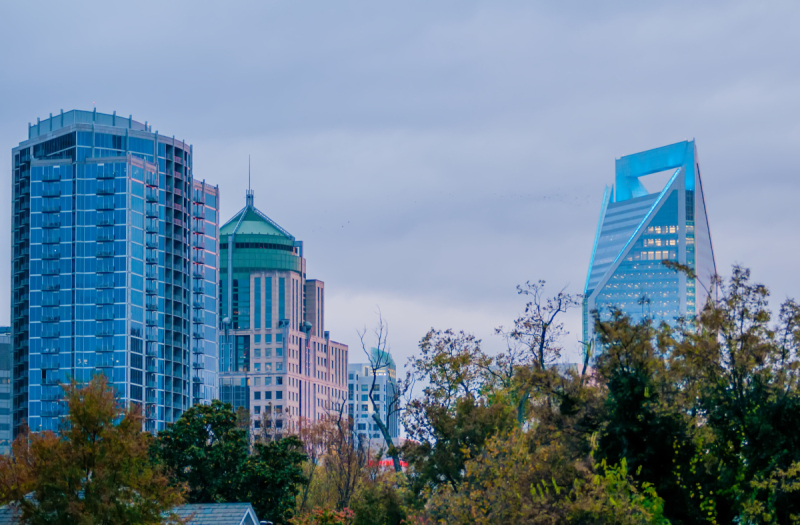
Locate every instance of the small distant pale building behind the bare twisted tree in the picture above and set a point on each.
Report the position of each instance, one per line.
(360, 378)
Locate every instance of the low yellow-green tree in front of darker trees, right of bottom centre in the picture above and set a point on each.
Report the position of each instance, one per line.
(509, 481)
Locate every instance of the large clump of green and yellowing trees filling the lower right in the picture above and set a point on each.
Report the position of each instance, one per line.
(694, 422)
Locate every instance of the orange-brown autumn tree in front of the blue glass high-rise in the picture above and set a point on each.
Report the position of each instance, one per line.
(95, 470)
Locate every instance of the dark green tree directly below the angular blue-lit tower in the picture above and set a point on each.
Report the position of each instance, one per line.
(645, 421)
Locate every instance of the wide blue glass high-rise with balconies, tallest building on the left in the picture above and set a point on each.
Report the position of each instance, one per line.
(114, 268)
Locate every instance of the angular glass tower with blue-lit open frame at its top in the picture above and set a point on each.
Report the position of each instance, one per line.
(639, 229)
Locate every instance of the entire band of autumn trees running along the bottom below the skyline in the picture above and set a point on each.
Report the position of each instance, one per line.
(694, 422)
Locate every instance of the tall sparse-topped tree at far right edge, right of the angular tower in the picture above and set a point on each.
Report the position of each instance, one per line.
(740, 370)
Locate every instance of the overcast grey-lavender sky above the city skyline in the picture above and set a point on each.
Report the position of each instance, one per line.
(434, 155)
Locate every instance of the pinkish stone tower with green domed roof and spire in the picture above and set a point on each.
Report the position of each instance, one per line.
(276, 359)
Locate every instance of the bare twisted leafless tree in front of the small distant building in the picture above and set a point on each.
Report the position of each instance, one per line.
(380, 361)
